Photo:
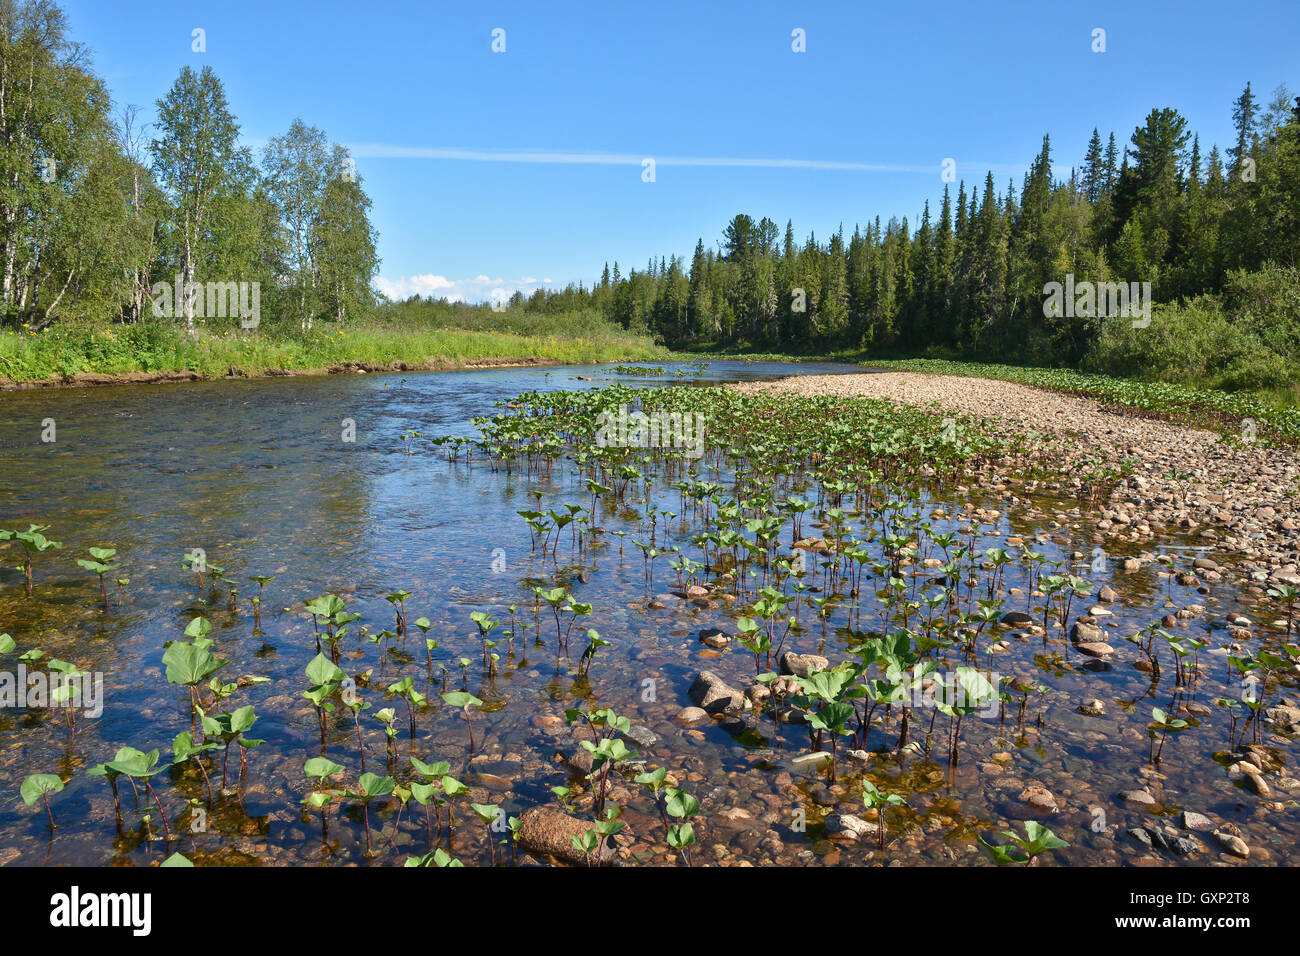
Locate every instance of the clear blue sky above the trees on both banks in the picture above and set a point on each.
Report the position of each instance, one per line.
(467, 154)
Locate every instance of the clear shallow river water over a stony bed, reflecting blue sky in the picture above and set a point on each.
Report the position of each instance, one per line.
(262, 477)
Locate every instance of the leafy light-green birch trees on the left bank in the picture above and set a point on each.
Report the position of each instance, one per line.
(105, 219)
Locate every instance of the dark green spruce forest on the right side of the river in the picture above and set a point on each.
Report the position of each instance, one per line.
(968, 279)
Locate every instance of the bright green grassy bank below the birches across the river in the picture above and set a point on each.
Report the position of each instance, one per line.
(62, 354)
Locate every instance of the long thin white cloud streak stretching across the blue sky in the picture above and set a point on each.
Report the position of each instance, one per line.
(627, 159)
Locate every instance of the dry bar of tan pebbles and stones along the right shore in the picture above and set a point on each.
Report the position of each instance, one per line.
(1158, 477)
